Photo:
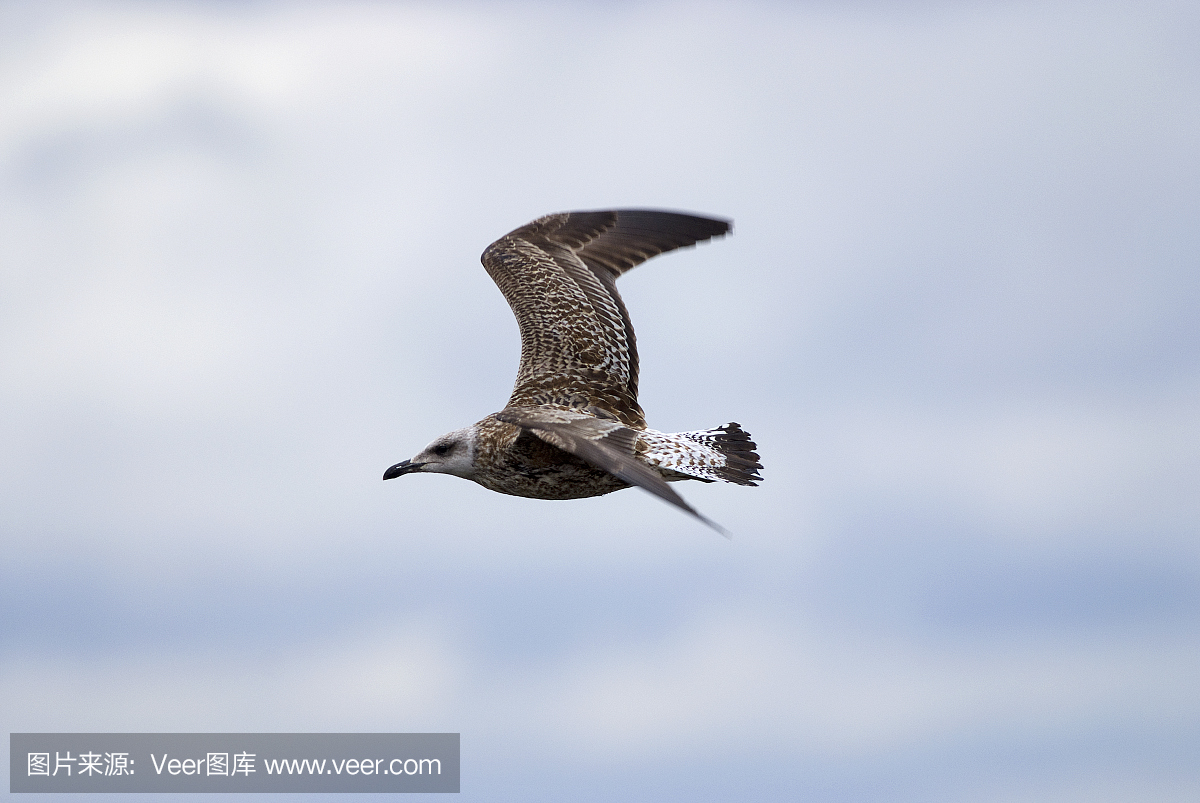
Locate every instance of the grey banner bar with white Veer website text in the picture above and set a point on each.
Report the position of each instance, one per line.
(233, 763)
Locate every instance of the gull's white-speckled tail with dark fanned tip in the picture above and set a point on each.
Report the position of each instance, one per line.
(725, 453)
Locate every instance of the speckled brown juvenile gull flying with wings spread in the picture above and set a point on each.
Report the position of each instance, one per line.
(573, 427)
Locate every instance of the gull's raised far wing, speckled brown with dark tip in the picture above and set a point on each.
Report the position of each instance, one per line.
(559, 274)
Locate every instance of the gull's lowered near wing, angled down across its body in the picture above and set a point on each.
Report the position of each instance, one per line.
(609, 446)
